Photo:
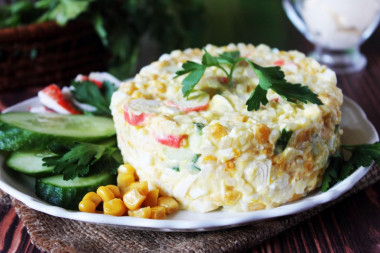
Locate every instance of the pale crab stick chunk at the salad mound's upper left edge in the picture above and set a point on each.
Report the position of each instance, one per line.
(137, 111)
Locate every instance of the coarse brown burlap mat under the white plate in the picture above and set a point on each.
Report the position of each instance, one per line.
(53, 234)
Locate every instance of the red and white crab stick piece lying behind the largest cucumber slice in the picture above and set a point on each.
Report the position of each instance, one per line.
(52, 98)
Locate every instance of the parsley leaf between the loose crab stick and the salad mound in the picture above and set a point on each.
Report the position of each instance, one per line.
(87, 92)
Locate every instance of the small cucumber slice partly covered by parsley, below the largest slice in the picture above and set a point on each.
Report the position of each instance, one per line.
(30, 163)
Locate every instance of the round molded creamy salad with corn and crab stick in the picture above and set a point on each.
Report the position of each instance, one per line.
(208, 149)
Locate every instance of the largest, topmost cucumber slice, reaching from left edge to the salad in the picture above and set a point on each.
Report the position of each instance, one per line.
(23, 130)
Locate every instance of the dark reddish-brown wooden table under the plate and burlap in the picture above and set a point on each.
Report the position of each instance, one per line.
(350, 226)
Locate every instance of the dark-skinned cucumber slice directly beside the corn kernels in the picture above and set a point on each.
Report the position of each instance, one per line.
(68, 194)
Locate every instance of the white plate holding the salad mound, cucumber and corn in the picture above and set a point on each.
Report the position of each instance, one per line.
(357, 130)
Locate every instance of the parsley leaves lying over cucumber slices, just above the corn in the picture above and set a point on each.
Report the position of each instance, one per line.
(81, 159)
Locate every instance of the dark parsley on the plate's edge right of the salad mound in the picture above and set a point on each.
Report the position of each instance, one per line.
(339, 168)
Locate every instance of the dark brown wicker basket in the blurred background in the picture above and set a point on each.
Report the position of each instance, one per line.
(39, 54)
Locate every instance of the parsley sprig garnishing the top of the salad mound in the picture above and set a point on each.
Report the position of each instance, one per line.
(269, 78)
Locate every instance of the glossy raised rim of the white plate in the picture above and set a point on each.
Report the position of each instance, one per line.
(183, 225)
